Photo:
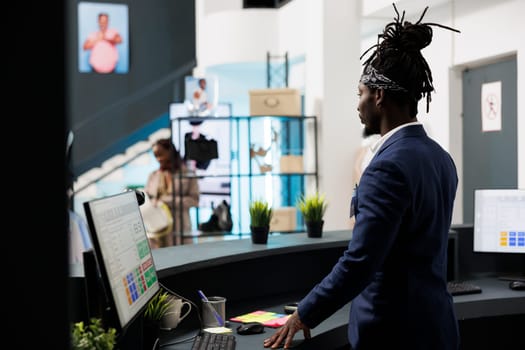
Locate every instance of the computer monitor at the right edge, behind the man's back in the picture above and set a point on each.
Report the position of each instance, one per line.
(499, 221)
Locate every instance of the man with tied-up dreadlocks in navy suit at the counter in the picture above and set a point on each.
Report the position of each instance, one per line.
(394, 268)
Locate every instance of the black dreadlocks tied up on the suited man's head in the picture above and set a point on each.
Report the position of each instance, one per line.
(398, 56)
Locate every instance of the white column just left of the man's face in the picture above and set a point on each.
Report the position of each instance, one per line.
(339, 125)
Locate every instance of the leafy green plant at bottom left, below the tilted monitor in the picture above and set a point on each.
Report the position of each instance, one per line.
(92, 336)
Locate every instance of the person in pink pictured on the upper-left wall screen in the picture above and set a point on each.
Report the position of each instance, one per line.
(102, 43)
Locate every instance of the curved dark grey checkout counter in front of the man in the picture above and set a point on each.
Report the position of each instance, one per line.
(268, 276)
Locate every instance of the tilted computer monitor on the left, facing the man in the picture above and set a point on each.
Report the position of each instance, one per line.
(123, 256)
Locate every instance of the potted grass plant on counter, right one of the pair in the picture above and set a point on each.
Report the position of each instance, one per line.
(313, 208)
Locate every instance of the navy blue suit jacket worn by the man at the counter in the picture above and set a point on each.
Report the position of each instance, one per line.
(394, 269)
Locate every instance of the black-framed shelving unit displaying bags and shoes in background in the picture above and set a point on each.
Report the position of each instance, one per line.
(249, 166)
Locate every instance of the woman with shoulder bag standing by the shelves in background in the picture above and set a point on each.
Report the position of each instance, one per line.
(163, 183)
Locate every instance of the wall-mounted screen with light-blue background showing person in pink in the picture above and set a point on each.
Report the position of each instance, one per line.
(103, 40)
